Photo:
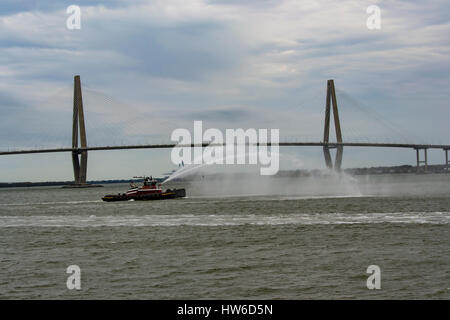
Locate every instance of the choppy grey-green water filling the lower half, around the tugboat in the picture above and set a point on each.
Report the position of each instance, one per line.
(297, 246)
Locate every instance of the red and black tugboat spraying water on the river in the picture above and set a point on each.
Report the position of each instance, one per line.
(150, 190)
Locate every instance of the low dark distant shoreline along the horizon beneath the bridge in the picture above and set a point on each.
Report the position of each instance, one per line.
(281, 174)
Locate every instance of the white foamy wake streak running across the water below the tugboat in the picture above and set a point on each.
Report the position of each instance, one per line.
(224, 220)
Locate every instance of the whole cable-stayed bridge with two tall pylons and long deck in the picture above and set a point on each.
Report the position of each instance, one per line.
(80, 148)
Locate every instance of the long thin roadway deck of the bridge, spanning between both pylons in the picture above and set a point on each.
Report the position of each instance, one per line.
(281, 144)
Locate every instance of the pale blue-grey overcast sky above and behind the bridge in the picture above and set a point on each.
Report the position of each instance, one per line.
(150, 67)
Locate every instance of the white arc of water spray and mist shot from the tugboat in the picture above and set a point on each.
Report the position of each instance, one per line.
(246, 180)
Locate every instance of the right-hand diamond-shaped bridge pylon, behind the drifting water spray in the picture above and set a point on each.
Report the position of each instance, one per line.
(331, 100)
